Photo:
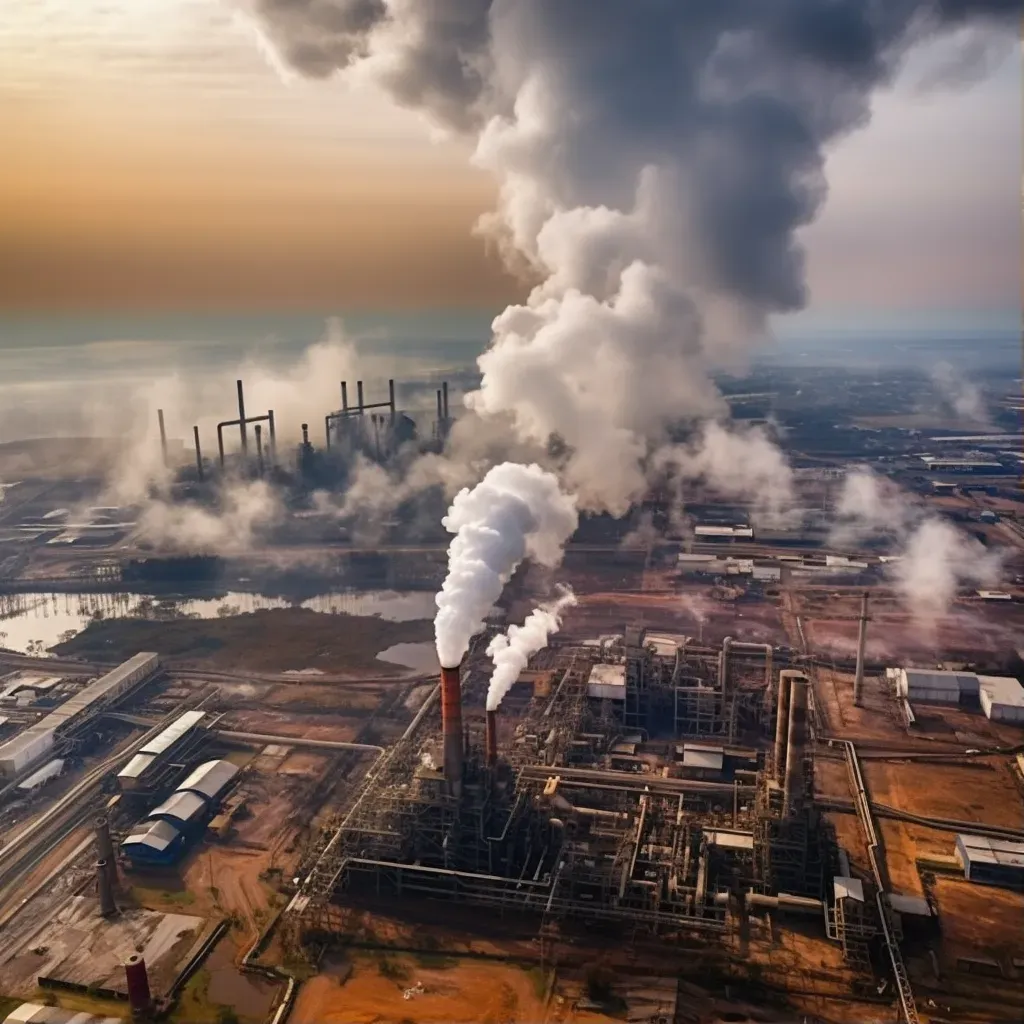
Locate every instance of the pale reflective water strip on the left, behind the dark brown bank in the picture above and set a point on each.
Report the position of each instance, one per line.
(32, 623)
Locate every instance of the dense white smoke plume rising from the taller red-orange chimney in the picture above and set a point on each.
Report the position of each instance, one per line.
(515, 513)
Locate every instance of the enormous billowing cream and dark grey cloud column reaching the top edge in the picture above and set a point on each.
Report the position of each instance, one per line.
(655, 161)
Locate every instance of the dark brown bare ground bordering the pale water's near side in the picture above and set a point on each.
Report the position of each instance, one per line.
(268, 642)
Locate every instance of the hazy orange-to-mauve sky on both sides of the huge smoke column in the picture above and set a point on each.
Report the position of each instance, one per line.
(156, 157)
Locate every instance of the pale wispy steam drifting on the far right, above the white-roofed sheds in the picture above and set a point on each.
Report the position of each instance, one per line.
(936, 559)
